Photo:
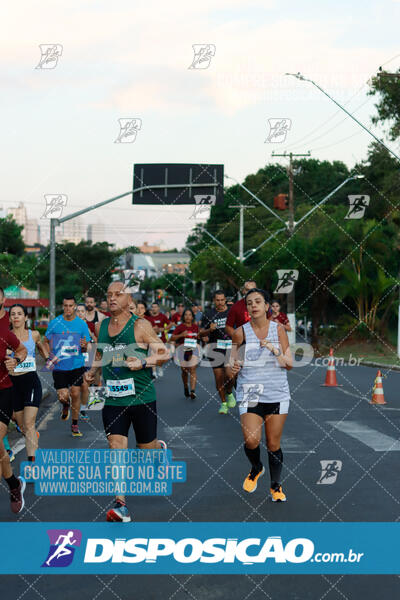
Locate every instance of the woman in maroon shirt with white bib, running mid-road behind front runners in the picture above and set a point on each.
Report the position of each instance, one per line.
(185, 337)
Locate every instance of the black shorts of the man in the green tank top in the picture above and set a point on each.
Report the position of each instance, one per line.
(143, 418)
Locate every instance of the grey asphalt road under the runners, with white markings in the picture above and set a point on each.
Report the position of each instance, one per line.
(331, 424)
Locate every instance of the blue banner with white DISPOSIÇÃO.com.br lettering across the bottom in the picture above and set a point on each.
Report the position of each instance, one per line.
(206, 548)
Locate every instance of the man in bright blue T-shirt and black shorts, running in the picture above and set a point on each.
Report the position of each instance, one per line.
(66, 339)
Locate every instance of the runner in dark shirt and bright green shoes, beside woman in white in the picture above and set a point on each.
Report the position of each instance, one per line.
(218, 349)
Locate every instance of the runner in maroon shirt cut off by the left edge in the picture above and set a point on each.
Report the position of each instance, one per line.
(9, 341)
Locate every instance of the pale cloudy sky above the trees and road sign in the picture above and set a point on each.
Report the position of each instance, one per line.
(131, 60)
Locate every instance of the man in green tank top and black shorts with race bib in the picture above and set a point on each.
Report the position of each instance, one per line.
(123, 345)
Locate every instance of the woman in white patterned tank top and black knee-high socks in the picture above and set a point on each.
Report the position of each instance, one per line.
(260, 359)
